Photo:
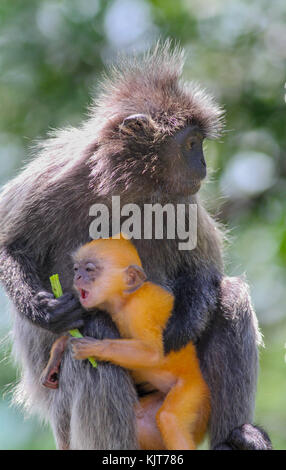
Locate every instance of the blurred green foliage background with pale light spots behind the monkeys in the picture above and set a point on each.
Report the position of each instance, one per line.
(51, 55)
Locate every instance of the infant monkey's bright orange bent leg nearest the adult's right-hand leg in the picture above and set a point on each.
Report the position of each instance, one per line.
(183, 417)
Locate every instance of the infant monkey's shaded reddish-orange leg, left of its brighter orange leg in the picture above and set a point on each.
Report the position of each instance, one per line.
(149, 436)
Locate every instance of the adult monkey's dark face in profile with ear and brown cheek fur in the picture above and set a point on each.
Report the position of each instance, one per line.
(148, 160)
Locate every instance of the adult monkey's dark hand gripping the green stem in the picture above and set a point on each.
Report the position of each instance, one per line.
(59, 315)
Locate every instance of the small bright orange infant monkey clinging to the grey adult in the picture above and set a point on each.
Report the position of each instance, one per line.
(109, 276)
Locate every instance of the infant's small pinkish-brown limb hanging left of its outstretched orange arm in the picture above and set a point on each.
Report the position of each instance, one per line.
(50, 375)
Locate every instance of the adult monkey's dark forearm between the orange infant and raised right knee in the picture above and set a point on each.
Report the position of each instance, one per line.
(196, 297)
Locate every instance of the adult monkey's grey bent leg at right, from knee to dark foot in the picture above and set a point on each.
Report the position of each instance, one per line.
(228, 354)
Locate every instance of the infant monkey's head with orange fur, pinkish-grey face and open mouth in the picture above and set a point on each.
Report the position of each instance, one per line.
(106, 272)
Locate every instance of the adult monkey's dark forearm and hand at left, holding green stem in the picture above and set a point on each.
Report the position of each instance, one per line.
(18, 274)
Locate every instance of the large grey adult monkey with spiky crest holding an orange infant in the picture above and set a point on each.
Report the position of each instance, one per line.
(142, 141)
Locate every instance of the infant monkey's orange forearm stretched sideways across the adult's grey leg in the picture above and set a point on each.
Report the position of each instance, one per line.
(128, 353)
